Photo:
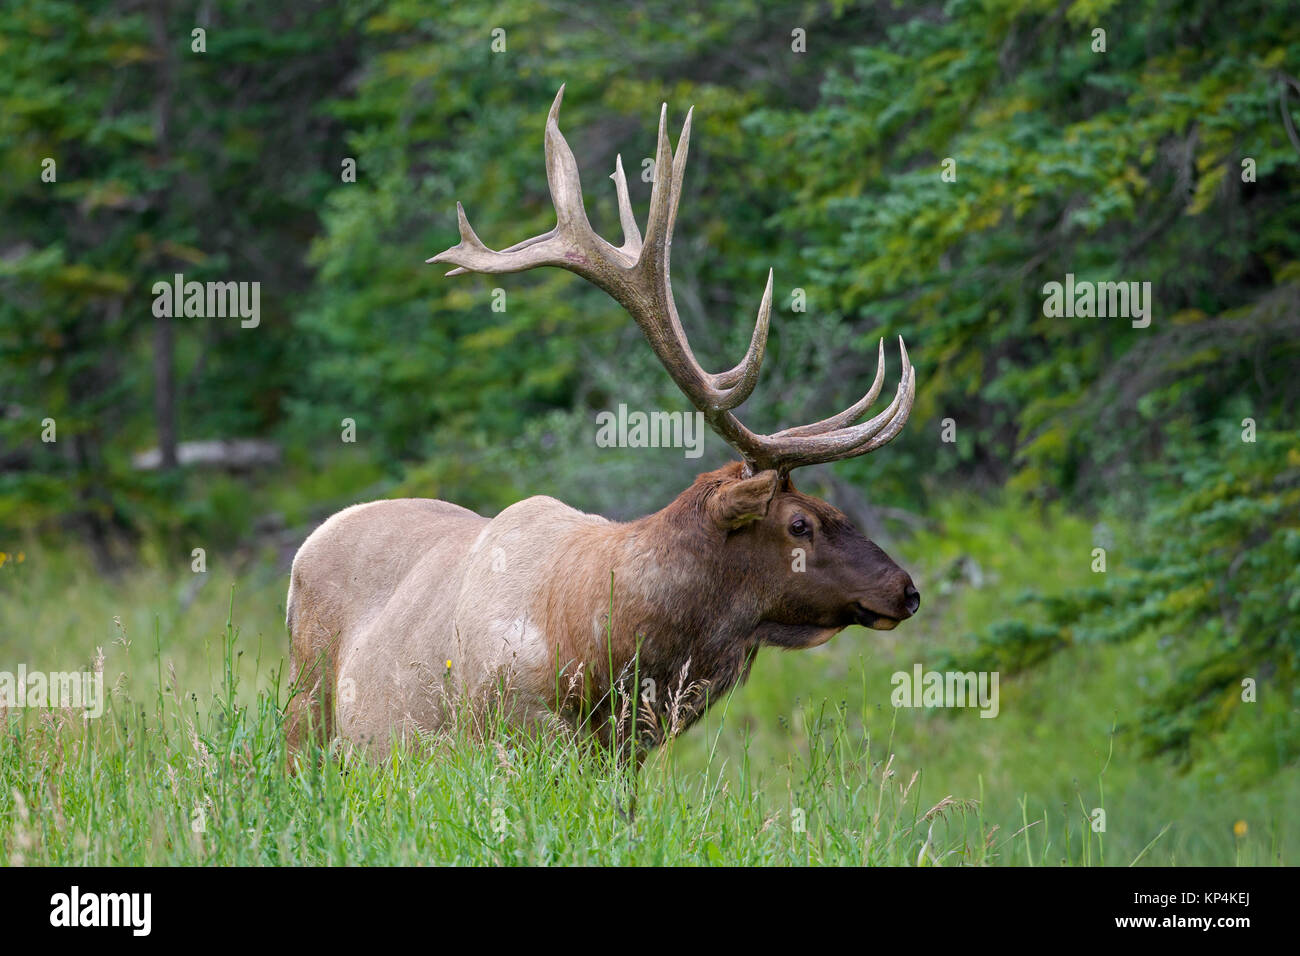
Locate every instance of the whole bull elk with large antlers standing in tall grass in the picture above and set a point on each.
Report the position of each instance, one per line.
(400, 609)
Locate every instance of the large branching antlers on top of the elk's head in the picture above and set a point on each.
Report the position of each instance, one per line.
(636, 276)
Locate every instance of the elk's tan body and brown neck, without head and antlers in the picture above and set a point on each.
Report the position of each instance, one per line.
(384, 595)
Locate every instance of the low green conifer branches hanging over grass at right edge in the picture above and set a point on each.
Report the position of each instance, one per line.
(1210, 598)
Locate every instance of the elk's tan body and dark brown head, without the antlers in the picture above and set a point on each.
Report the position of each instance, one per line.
(384, 595)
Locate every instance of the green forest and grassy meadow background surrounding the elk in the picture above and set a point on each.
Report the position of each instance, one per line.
(1084, 218)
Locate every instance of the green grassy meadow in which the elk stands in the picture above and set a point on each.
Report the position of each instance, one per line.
(807, 764)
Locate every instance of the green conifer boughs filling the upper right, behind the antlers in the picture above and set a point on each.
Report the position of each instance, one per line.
(1116, 166)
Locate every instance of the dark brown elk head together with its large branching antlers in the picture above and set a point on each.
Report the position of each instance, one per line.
(807, 569)
